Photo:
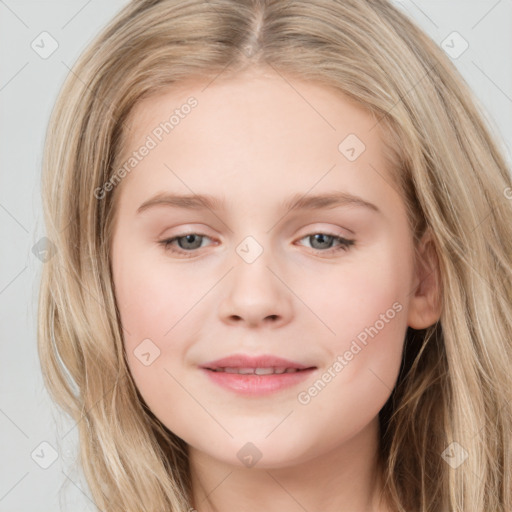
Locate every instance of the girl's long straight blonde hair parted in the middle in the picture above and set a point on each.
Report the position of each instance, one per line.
(455, 382)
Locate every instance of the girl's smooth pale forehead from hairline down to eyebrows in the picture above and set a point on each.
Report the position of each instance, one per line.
(258, 131)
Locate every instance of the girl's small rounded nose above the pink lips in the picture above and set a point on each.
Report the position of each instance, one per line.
(256, 295)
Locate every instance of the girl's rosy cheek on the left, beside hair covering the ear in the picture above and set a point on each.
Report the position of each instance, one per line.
(153, 314)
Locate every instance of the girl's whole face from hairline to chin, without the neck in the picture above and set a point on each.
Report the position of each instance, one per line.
(321, 287)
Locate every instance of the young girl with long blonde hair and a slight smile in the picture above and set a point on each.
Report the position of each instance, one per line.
(212, 352)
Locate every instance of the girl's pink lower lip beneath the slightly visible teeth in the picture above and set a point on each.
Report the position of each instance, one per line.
(257, 384)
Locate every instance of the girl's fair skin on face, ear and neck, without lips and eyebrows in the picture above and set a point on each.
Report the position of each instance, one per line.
(255, 141)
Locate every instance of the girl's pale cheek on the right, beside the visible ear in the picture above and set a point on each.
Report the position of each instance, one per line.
(365, 306)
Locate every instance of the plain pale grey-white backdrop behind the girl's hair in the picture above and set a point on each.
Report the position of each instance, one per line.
(28, 89)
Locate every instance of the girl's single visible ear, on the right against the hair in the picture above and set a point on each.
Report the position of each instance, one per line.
(425, 305)
